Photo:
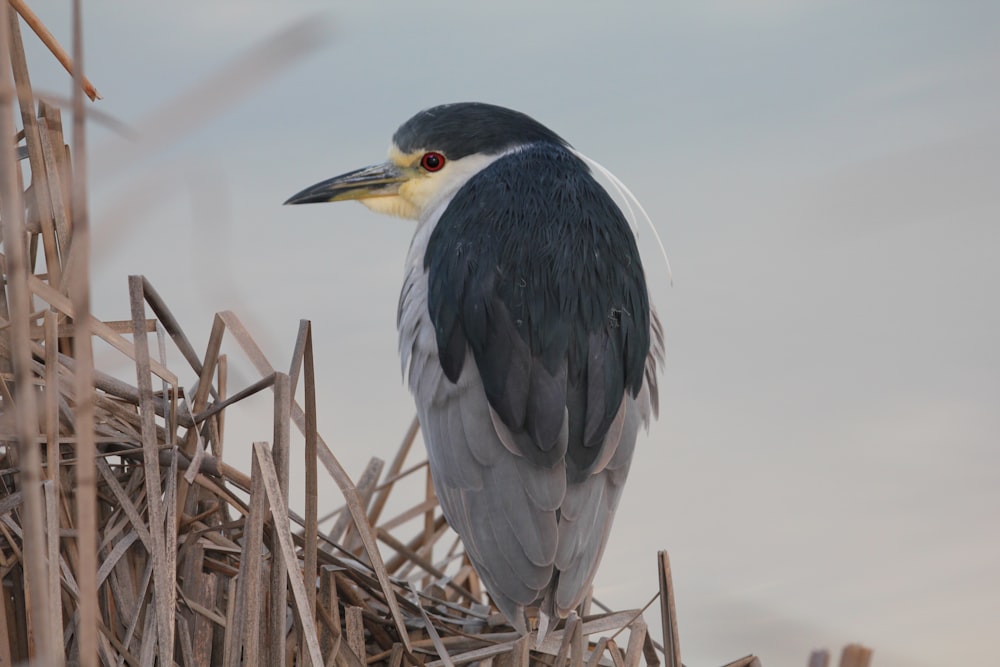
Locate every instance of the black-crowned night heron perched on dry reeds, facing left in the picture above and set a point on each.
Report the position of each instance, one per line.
(526, 333)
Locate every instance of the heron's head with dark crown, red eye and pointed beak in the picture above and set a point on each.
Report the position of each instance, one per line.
(432, 155)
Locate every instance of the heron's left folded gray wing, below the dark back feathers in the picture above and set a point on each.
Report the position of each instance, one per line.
(504, 507)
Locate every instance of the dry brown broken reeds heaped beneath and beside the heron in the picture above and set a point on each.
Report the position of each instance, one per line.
(126, 538)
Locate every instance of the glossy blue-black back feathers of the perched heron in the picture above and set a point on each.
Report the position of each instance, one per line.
(534, 268)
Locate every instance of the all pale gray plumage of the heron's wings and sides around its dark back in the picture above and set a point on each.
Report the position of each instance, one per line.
(533, 537)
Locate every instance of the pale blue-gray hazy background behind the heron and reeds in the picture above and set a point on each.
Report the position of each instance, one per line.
(825, 177)
